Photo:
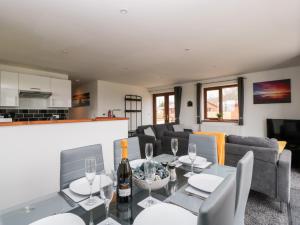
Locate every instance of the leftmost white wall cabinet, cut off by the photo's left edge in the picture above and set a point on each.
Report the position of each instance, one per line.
(9, 89)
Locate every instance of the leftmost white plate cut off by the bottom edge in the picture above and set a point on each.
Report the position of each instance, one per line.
(60, 219)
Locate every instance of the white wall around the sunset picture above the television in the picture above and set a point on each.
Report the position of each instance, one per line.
(256, 115)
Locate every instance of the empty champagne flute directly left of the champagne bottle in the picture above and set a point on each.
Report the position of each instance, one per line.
(107, 191)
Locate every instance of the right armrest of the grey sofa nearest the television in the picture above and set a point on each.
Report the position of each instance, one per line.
(284, 176)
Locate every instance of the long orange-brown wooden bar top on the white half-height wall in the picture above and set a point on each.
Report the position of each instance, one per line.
(39, 122)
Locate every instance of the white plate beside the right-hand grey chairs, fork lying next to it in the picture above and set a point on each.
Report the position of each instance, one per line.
(205, 182)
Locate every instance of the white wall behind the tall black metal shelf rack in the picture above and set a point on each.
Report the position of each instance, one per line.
(111, 96)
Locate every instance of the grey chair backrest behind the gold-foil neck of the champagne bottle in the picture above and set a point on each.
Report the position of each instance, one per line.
(133, 150)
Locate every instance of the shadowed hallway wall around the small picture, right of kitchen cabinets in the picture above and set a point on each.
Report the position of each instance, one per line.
(86, 111)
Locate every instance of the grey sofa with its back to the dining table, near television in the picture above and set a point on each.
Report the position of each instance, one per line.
(271, 171)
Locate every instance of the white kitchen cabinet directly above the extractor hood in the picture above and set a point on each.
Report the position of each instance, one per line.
(28, 82)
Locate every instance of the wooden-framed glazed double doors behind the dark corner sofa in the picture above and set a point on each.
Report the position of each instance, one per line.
(163, 108)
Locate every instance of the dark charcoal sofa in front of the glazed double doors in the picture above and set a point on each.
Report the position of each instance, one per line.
(163, 133)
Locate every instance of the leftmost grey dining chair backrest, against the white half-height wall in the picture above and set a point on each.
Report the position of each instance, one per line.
(72, 163)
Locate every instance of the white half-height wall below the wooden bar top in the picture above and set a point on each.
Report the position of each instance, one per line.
(30, 166)
